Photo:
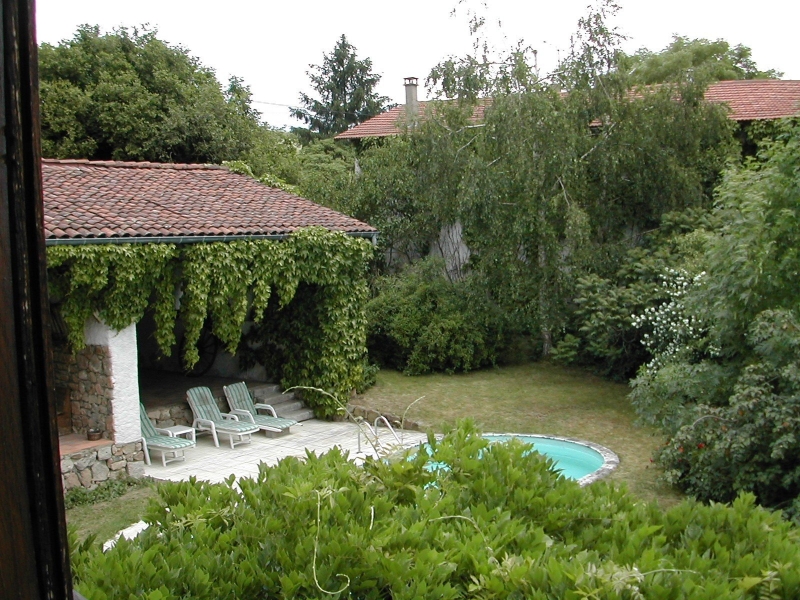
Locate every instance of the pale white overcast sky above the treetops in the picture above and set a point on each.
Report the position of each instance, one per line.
(270, 44)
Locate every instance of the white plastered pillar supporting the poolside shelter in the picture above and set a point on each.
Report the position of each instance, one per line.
(122, 352)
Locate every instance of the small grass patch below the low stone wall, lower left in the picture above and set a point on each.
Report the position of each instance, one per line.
(105, 518)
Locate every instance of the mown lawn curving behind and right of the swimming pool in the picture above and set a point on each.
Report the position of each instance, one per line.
(533, 398)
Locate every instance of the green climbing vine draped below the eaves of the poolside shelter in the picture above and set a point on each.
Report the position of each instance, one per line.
(229, 282)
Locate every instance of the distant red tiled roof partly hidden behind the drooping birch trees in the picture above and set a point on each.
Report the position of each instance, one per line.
(748, 99)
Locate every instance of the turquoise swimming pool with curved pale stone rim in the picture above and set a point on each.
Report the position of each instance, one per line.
(582, 461)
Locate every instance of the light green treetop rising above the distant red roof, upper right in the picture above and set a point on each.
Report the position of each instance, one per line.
(699, 59)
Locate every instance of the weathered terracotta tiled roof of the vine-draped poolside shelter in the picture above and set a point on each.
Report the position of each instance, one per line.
(108, 201)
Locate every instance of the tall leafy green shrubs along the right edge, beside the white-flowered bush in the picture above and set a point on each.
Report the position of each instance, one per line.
(731, 404)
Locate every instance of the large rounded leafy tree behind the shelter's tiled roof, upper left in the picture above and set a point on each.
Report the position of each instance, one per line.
(130, 96)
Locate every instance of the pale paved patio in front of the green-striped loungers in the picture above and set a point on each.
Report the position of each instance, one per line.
(209, 463)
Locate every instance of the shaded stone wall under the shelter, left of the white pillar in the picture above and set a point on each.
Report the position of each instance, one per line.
(87, 377)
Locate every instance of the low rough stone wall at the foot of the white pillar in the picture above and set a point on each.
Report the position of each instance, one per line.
(86, 468)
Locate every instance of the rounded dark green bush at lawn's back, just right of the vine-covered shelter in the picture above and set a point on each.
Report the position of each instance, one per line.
(419, 321)
